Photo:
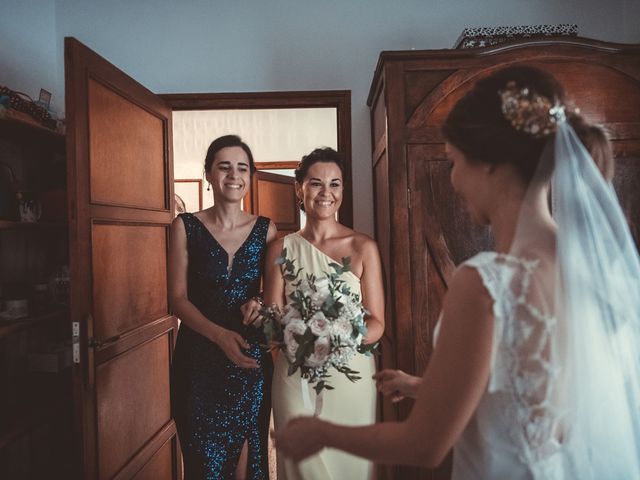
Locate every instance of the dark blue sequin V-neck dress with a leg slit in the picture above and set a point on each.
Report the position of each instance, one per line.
(216, 404)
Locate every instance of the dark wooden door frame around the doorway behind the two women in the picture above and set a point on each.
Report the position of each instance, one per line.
(338, 99)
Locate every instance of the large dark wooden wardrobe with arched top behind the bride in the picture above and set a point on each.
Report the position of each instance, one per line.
(422, 227)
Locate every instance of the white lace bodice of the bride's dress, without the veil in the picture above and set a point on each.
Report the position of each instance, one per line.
(516, 432)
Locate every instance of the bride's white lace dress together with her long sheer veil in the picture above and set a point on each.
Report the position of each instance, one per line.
(563, 397)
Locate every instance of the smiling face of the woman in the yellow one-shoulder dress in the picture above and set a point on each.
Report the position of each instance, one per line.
(321, 190)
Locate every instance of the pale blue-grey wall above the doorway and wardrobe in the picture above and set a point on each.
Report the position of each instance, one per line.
(262, 45)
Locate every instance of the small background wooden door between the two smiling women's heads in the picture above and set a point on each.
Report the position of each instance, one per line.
(274, 196)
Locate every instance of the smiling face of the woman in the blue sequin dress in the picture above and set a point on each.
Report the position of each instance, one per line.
(230, 174)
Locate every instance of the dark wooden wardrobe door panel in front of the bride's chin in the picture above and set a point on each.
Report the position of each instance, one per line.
(440, 238)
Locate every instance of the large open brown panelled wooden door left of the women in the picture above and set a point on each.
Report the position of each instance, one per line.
(120, 190)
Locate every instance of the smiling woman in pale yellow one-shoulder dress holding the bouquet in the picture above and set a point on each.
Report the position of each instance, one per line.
(323, 240)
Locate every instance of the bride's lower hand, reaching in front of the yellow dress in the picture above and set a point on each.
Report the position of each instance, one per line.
(300, 438)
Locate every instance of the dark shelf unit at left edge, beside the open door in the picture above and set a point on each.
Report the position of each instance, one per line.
(35, 413)
